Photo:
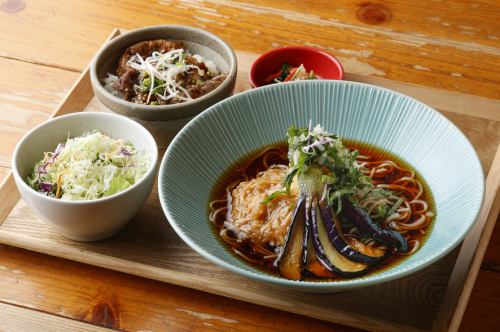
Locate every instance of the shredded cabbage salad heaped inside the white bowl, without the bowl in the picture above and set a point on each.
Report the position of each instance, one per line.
(88, 167)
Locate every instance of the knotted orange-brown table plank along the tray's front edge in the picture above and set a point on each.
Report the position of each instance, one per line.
(121, 301)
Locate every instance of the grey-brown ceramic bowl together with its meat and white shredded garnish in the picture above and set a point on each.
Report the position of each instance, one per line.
(164, 81)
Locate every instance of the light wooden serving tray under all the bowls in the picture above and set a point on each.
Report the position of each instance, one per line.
(433, 299)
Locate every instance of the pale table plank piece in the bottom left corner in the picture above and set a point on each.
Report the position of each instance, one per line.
(19, 319)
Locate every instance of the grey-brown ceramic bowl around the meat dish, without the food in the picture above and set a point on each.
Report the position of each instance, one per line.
(196, 40)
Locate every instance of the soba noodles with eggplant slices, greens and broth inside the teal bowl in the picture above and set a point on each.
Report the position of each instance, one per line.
(314, 207)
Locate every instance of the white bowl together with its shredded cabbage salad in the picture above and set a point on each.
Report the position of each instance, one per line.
(90, 184)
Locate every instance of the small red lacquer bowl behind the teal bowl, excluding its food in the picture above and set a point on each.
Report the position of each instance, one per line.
(324, 65)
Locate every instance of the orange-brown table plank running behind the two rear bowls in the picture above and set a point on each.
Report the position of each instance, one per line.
(413, 45)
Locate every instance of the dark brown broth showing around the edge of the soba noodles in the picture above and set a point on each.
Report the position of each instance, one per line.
(253, 166)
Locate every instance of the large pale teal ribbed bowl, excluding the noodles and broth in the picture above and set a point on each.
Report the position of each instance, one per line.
(222, 134)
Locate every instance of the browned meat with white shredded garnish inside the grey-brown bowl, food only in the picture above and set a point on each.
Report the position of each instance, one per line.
(162, 72)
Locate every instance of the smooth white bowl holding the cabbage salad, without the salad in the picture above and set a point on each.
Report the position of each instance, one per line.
(84, 220)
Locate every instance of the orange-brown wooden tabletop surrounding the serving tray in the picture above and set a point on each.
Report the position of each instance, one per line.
(45, 44)
